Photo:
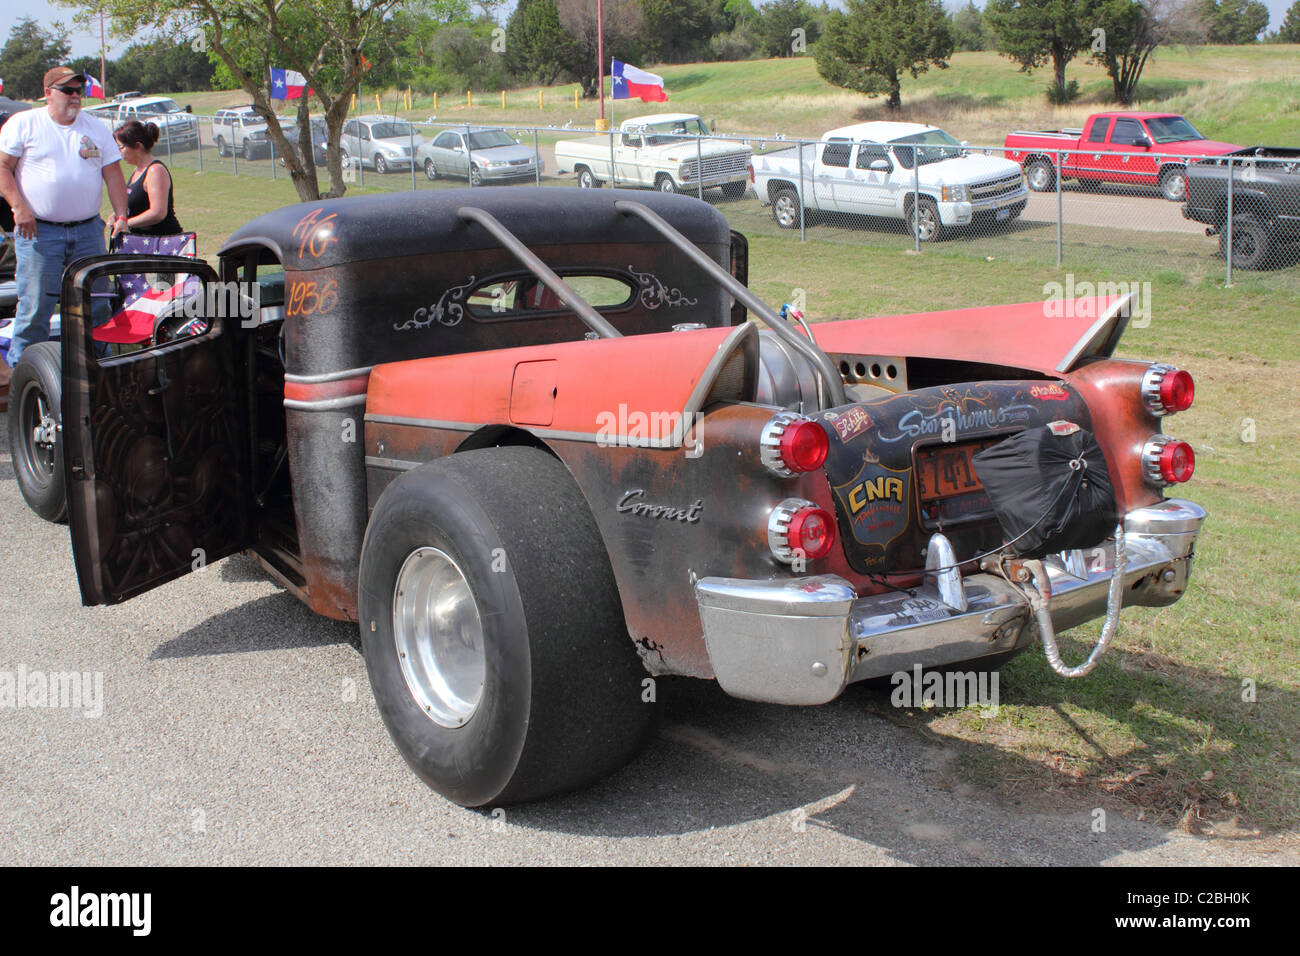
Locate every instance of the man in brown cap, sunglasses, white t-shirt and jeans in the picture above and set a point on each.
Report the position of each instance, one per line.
(54, 167)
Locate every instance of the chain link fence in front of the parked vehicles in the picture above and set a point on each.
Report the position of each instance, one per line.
(1110, 215)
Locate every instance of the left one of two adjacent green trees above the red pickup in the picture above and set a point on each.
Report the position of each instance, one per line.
(1039, 32)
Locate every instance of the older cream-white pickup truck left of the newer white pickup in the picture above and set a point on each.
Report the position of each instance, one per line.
(661, 152)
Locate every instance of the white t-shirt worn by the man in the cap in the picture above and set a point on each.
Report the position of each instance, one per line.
(60, 168)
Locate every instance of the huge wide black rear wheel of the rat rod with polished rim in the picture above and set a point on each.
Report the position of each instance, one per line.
(493, 633)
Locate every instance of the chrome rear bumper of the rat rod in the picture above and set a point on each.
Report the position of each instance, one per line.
(803, 641)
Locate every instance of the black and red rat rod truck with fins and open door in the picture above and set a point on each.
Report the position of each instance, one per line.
(536, 451)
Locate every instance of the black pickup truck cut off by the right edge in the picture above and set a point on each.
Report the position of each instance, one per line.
(1266, 204)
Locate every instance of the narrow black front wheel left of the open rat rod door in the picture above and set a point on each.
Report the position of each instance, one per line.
(36, 445)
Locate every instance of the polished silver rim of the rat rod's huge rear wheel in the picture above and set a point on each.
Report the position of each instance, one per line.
(439, 638)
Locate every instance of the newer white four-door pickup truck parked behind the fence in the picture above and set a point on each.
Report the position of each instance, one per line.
(870, 170)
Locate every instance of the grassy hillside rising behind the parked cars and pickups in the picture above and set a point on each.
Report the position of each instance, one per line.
(1240, 94)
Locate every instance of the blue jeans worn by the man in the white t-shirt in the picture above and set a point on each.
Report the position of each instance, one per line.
(40, 271)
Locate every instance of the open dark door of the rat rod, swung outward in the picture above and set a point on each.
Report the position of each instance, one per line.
(155, 442)
